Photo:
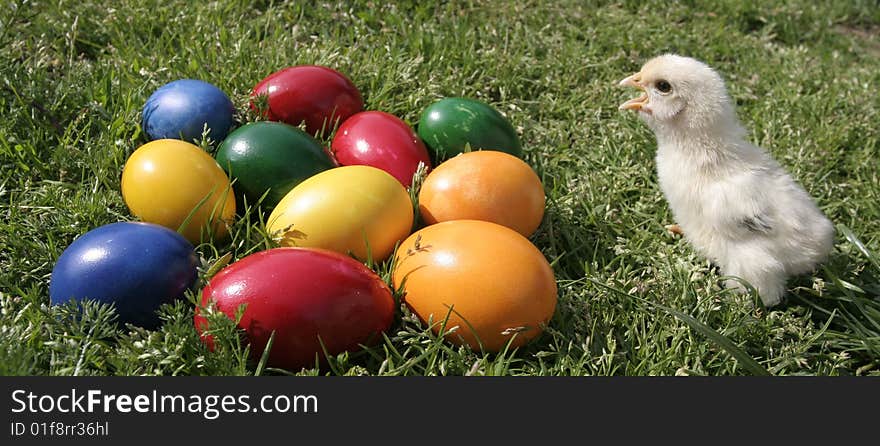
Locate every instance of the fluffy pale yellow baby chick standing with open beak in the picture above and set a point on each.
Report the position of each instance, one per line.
(734, 203)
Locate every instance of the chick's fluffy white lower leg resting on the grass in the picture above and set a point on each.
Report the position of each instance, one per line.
(762, 271)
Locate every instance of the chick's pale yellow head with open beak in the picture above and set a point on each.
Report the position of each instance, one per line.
(679, 92)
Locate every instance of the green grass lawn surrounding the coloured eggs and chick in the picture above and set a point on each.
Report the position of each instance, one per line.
(633, 300)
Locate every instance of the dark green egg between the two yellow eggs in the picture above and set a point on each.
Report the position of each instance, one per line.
(270, 157)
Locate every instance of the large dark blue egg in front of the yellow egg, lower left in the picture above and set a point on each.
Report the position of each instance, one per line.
(136, 266)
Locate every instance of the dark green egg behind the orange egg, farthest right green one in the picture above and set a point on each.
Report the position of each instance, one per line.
(449, 125)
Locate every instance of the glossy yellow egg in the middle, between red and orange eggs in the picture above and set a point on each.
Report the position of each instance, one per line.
(360, 210)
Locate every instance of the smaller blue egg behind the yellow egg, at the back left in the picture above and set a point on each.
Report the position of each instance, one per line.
(180, 110)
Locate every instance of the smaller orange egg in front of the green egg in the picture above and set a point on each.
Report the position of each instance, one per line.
(485, 185)
